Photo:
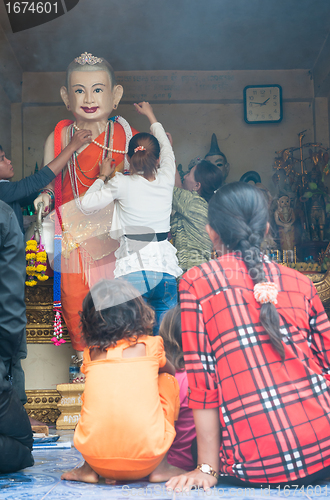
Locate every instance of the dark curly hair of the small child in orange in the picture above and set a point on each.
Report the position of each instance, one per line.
(114, 310)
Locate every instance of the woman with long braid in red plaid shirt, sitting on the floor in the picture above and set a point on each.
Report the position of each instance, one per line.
(256, 344)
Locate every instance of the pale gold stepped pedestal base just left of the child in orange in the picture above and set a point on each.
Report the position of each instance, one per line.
(69, 405)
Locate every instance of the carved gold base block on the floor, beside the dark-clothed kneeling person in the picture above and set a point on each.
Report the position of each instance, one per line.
(42, 405)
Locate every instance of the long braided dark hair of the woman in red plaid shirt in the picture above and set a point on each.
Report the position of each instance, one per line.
(238, 213)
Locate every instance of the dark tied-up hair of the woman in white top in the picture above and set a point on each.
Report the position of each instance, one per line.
(143, 160)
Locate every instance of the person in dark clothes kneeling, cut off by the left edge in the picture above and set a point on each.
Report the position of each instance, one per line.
(15, 430)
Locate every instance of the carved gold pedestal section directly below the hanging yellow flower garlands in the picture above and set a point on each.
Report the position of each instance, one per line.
(40, 315)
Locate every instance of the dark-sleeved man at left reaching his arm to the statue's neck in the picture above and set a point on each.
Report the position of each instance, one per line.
(22, 193)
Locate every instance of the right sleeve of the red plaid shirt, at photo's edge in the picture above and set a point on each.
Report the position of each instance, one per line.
(319, 338)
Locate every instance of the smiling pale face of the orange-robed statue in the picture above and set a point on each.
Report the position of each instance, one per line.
(91, 97)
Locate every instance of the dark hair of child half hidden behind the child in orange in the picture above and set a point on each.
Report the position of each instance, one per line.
(170, 331)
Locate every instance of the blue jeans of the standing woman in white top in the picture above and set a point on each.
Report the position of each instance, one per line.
(159, 290)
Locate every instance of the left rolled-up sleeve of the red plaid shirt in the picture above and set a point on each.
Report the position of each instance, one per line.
(198, 355)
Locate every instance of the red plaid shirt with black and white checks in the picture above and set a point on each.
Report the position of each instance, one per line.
(275, 417)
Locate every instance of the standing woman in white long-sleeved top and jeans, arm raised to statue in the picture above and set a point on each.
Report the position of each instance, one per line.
(141, 220)
